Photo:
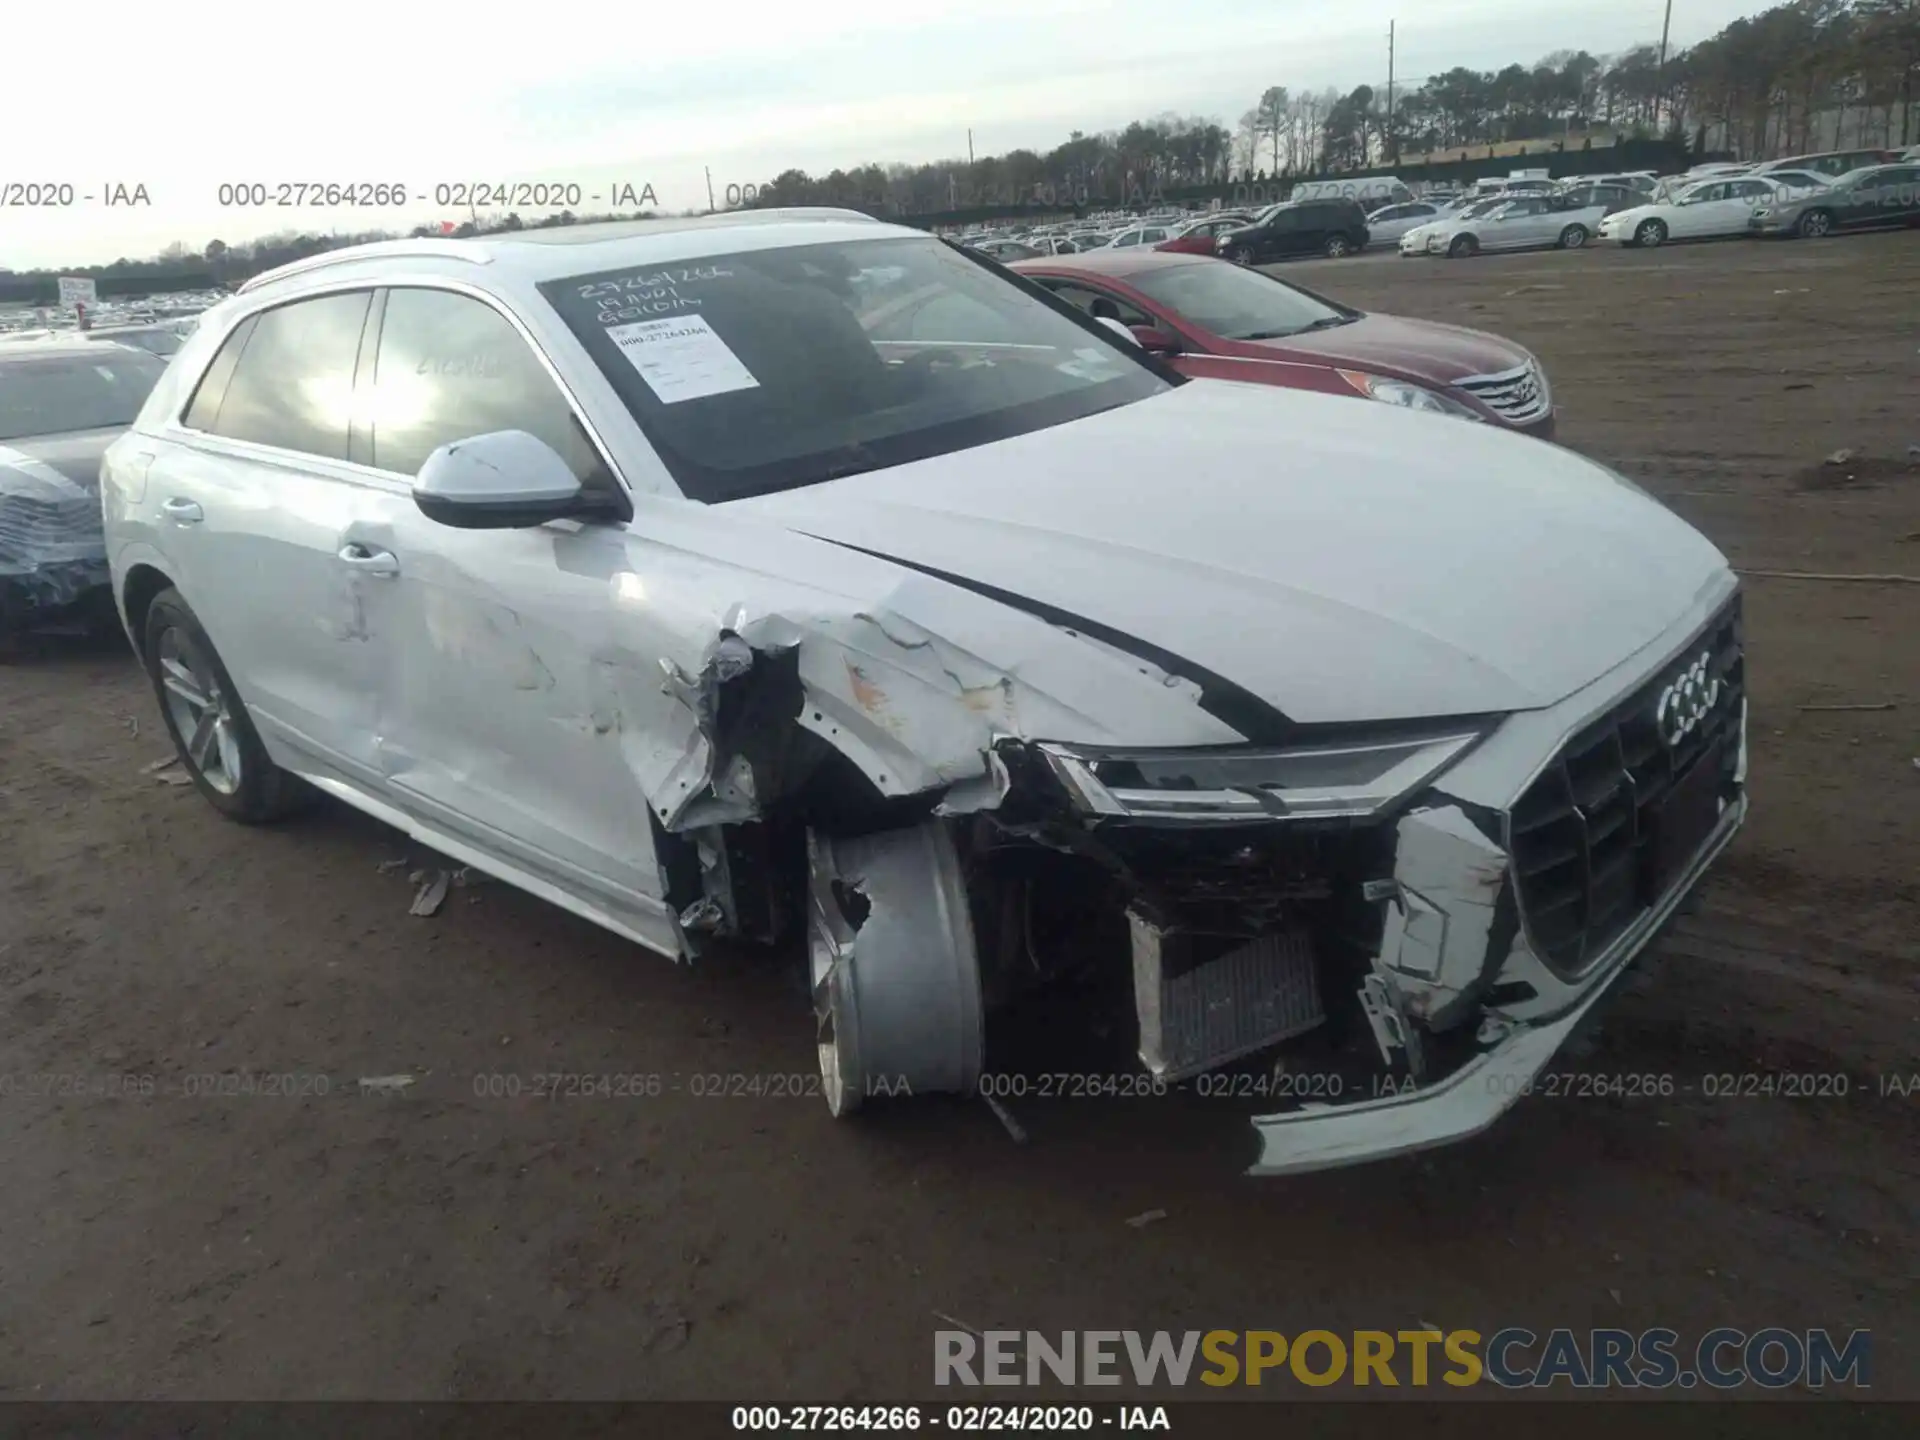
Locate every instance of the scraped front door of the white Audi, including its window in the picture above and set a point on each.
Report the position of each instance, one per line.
(510, 656)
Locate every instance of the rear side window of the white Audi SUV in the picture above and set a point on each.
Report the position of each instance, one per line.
(295, 381)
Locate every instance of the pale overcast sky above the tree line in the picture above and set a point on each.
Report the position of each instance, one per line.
(600, 93)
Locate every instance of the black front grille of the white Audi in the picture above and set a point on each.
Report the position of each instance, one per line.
(1585, 853)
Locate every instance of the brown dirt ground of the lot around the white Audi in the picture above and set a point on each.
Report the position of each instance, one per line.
(443, 1243)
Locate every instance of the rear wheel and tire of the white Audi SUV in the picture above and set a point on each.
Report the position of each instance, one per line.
(208, 723)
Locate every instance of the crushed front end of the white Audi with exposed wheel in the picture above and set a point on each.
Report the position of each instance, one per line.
(1381, 934)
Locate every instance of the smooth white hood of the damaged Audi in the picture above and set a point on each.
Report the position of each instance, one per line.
(1343, 562)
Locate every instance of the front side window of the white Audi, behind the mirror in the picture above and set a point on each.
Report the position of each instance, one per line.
(452, 368)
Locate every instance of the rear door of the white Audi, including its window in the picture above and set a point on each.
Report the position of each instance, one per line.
(254, 506)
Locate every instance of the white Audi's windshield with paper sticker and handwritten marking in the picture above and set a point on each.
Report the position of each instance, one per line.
(773, 370)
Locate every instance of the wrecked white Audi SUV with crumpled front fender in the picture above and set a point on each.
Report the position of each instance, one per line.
(809, 581)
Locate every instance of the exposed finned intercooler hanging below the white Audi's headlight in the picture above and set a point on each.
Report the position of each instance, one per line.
(1205, 1001)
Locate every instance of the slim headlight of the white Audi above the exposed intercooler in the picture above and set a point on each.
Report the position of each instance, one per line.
(1347, 779)
